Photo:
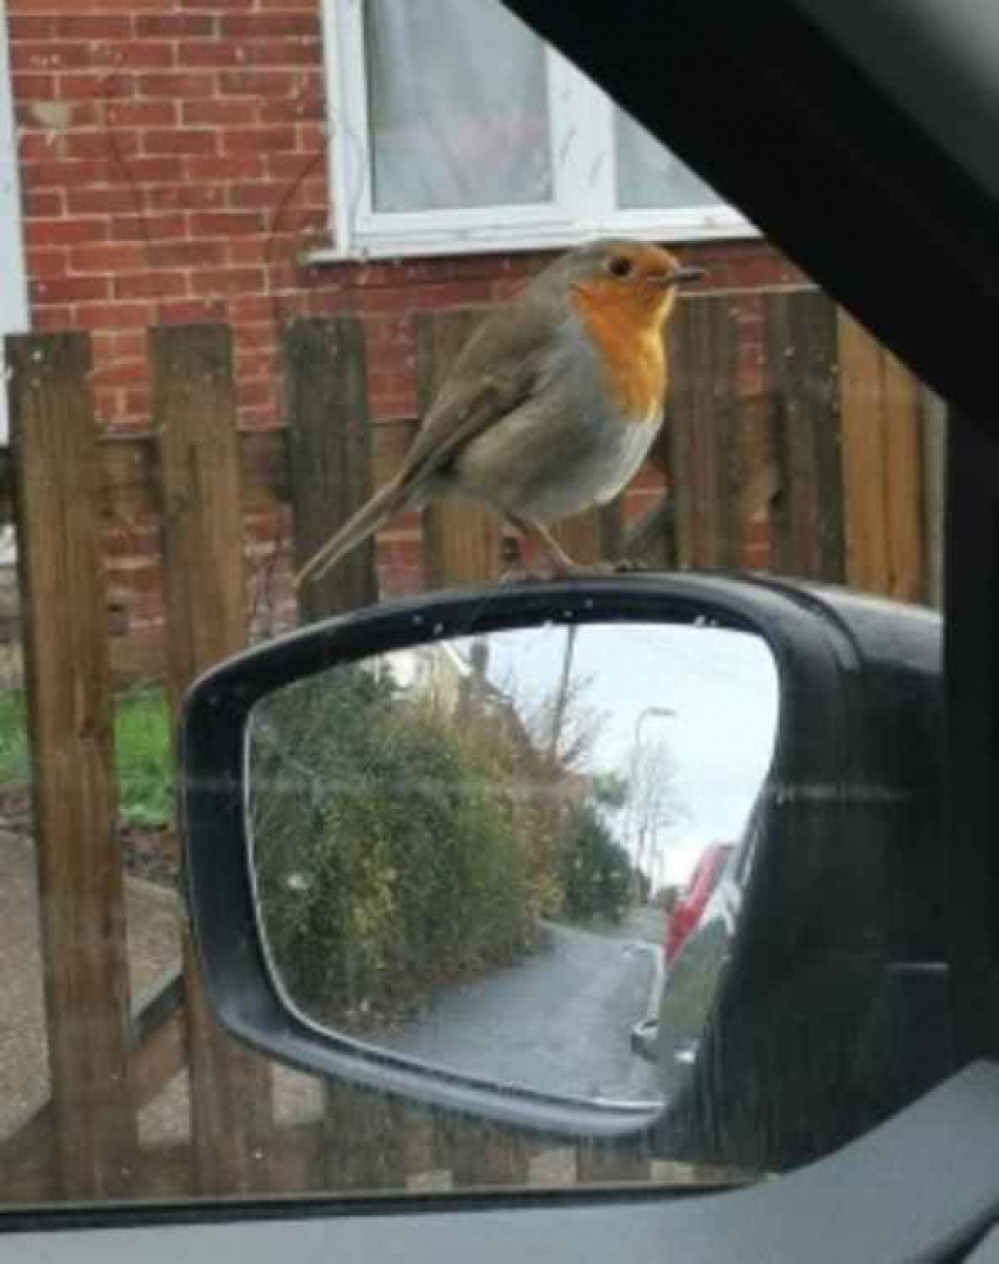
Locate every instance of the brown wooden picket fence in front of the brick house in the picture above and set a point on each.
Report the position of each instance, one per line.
(837, 462)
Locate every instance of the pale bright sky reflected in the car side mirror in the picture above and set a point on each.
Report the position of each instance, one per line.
(720, 686)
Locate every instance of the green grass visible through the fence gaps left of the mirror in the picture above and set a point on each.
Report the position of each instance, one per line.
(144, 757)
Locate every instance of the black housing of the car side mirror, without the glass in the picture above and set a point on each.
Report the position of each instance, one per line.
(814, 1035)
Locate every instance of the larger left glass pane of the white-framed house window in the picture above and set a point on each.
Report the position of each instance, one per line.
(458, 107)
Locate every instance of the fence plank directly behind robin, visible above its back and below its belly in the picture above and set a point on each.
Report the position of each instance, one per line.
(462, 543)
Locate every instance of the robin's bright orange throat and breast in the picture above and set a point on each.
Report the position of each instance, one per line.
(628, 339)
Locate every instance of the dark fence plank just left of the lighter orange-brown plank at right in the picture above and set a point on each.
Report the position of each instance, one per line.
(801, 332)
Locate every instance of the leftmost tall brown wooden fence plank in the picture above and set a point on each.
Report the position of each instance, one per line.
(69, 686)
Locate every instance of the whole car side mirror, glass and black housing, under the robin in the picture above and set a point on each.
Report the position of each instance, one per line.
(424, 844)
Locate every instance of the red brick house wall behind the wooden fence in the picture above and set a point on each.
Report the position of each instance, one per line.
(174, 169)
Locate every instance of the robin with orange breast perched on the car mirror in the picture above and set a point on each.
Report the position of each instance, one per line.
(552, 405)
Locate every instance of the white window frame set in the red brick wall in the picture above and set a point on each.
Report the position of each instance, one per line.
(582, 137)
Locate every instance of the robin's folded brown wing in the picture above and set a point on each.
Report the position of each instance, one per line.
(505, 362)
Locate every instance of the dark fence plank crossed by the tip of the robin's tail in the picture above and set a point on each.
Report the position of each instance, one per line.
(331, 451)
